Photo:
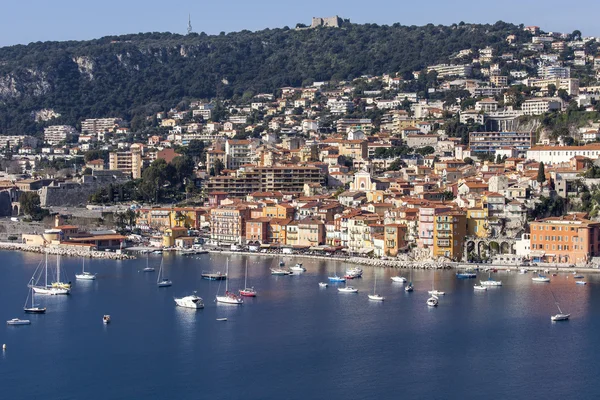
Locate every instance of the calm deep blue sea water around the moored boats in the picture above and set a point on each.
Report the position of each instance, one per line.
(295, 340)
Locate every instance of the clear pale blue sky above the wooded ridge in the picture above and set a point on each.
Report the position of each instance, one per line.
(42, 20)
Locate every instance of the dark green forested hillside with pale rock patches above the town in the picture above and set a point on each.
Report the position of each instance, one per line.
(135, 75)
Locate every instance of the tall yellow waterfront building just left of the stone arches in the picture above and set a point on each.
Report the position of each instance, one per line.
(449, 231)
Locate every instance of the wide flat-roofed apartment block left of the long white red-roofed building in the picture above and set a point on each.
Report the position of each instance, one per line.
(489, 142)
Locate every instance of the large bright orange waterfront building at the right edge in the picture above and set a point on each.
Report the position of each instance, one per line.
(568, 239)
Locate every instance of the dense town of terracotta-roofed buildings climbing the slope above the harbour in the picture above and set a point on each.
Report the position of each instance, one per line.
(488, 157)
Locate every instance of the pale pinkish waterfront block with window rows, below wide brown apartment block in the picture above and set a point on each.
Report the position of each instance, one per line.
(228, 224)
